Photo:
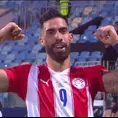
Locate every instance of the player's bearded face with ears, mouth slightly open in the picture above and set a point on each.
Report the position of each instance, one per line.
(56, 39)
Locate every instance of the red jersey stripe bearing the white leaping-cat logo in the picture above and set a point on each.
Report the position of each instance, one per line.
(46, 96)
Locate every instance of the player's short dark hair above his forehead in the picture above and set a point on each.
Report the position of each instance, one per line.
(50, 14)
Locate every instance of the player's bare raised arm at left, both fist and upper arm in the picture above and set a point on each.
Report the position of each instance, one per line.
(10, 32)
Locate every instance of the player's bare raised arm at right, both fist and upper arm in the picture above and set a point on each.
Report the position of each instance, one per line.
(109, 36)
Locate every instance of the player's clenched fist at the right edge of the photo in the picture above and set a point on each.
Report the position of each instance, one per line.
(107, 35)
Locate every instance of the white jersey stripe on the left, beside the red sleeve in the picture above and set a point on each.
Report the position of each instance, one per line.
(32, 99)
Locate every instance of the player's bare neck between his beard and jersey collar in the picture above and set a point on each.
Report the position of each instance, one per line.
(58, 67)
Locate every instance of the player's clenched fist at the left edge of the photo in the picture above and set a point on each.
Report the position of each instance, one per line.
(11, 32)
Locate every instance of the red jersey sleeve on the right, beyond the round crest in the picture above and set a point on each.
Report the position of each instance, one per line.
(94, 78)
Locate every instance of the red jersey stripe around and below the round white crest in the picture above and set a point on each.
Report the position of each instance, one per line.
(79, 95)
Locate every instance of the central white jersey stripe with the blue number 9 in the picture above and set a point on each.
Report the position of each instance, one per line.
(62, 94)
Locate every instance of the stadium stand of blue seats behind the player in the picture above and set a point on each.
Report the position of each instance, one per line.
(29, 50)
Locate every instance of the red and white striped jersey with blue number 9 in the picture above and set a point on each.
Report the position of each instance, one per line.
(55, 94)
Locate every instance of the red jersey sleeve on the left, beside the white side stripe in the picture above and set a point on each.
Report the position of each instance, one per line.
(17, 77)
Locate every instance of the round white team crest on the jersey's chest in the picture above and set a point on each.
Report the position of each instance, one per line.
(79, 83)
